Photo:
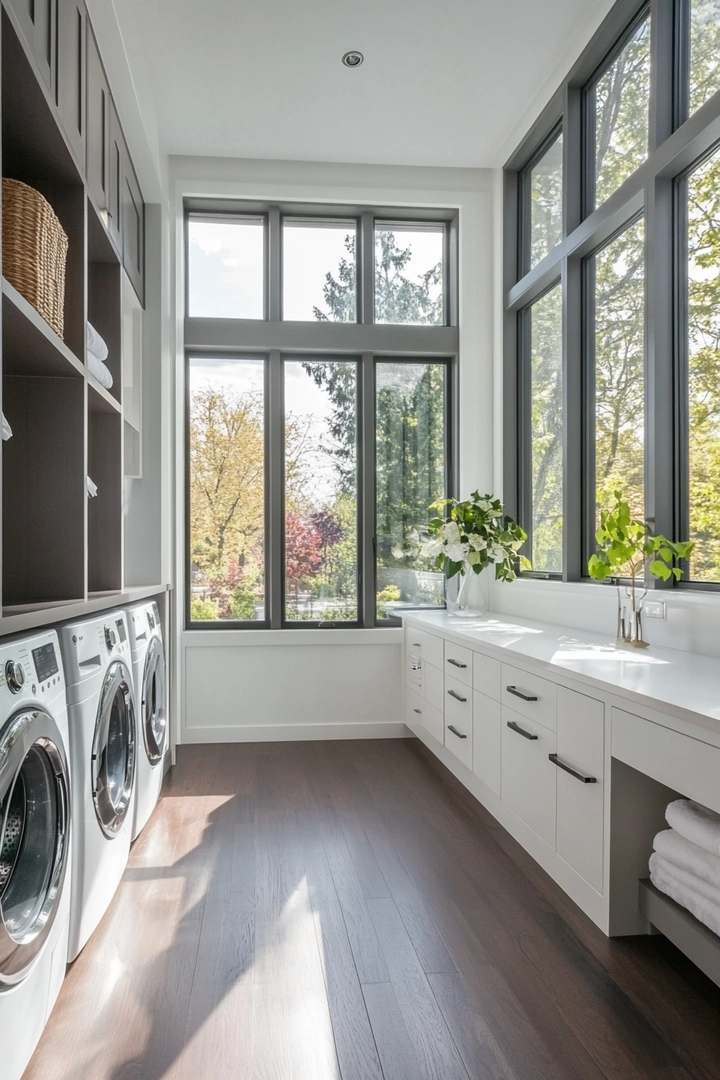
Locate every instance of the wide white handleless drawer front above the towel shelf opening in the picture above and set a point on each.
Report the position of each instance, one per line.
(680, 762)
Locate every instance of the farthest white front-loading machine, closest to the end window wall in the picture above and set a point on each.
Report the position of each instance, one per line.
(146, 644)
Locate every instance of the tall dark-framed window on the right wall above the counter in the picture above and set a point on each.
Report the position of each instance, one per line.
(613, 362)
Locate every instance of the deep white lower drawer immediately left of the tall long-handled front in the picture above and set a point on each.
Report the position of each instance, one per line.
(528, 776)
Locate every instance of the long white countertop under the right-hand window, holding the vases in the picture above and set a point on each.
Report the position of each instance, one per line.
(681, 684)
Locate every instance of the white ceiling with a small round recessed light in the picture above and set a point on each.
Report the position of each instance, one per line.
(445, 83)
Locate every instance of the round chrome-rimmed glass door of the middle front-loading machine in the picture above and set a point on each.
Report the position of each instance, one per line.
(114, 751)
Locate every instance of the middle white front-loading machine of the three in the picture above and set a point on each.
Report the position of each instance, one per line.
(103, 752)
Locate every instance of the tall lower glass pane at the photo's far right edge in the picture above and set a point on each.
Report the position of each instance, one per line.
(704, 369)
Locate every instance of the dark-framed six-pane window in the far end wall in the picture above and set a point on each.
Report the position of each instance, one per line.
(316, 451)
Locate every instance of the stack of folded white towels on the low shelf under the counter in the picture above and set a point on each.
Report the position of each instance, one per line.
(686, 863)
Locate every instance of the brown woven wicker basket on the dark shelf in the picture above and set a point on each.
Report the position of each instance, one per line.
(35, 249)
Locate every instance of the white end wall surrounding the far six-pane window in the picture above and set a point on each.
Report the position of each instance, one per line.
(266, 685)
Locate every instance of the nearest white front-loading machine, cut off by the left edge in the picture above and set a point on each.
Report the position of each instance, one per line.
(35, 843)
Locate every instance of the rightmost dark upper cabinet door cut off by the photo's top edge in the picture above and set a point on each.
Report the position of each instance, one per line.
(72, 74)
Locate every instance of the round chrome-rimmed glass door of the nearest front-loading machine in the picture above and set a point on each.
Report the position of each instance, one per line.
(35, 827)
